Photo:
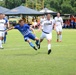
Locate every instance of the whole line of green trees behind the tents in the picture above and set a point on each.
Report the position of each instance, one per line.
(62, 6)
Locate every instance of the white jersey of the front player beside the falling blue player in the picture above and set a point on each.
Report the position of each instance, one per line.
(47, 26)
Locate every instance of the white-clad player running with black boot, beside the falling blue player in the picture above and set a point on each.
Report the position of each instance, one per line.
(47, 31)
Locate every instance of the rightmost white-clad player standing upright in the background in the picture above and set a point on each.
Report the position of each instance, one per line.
(58, 27)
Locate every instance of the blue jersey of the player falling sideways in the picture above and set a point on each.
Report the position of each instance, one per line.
(25, 29)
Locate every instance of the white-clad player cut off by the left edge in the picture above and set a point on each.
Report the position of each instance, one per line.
(2, 29)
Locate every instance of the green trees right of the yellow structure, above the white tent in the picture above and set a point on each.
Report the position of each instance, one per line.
(63, 6)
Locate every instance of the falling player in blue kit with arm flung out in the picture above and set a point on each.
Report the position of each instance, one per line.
(25, 30)
